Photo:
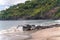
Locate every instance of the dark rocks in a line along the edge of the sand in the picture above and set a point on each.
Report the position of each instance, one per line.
(34, 27)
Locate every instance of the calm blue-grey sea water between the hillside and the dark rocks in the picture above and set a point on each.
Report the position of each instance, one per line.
(9, 24)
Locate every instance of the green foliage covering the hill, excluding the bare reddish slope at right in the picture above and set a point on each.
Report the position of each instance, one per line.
(30, 8)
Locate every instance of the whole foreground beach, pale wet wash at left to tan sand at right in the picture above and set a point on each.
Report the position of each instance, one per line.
(41, 34)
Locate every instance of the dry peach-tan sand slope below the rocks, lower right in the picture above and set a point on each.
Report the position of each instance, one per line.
(47, 34)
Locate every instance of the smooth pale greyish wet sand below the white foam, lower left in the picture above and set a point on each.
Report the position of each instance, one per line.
(13, 37)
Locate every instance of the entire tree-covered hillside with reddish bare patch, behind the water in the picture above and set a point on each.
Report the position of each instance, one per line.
(34, 9)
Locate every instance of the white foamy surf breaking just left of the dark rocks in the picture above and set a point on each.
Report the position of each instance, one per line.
(12, 30)
